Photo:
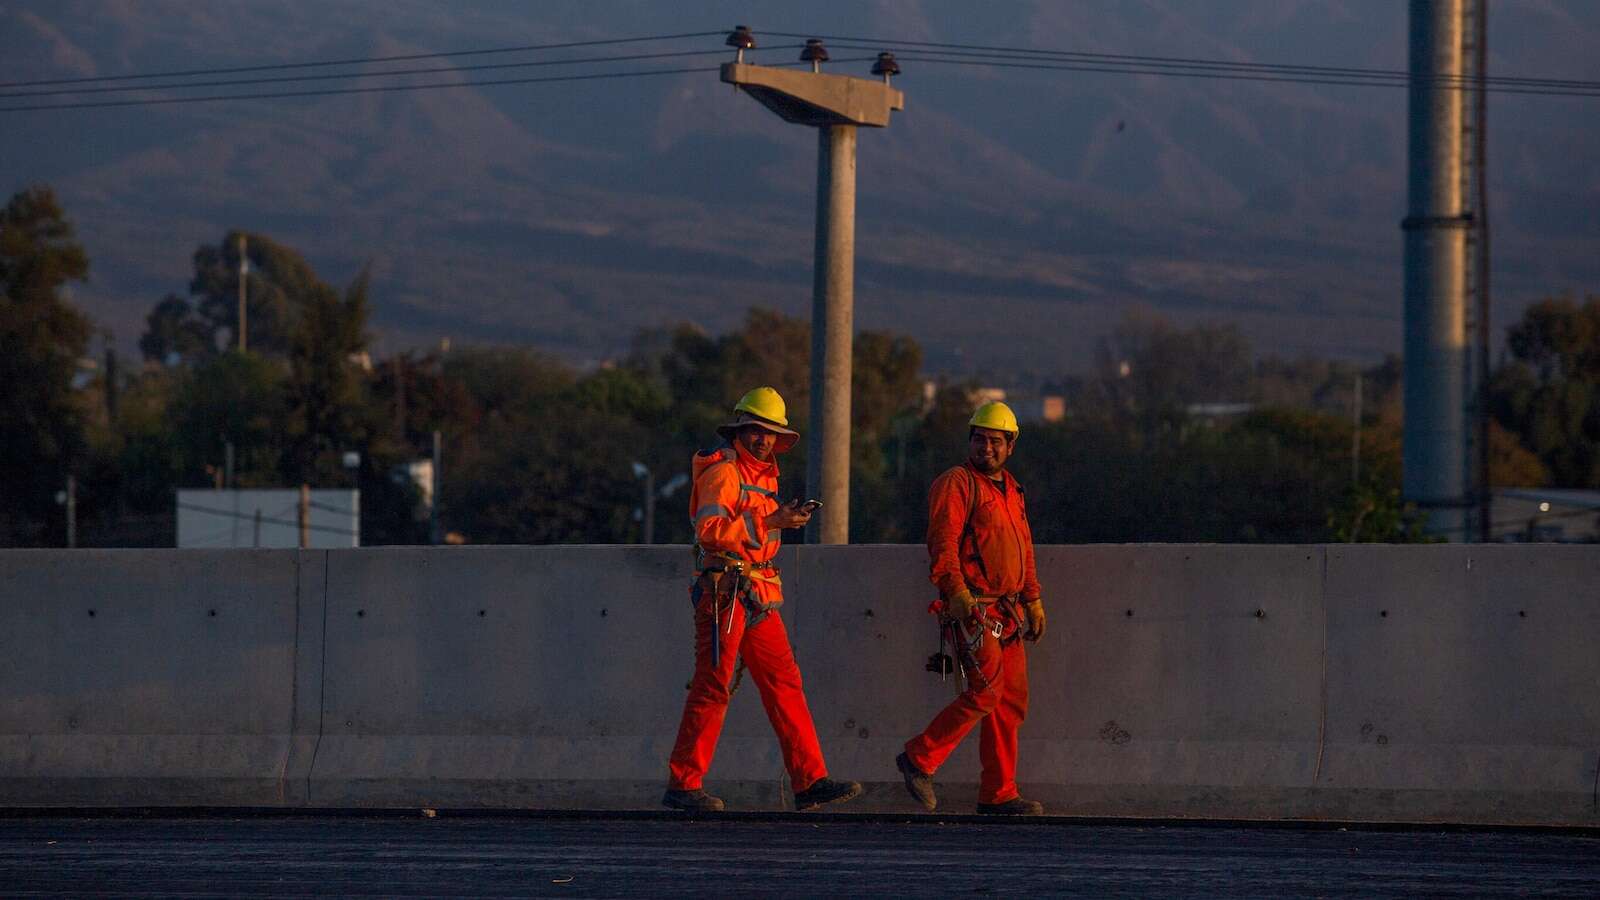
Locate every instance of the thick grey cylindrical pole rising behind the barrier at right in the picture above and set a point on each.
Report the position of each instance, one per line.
(1436, 227)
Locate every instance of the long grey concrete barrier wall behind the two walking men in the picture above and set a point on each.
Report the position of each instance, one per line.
(1367, 683)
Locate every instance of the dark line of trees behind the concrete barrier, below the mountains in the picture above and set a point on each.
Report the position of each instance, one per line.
(540, 452)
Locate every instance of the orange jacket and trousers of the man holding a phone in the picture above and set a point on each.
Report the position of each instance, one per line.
(734, 494)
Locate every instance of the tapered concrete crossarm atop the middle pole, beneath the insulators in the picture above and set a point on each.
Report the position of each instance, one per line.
(812, 98)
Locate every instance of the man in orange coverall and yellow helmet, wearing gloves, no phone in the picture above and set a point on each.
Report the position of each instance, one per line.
(982, 555)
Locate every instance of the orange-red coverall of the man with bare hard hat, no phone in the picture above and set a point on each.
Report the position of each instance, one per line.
(991, 556)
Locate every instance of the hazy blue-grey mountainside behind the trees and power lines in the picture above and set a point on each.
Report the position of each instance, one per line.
(1007, 217)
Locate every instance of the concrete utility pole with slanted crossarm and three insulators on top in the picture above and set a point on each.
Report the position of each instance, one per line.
(836, 106)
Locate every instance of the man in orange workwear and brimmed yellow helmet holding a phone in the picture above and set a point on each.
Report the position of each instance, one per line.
(737, 593)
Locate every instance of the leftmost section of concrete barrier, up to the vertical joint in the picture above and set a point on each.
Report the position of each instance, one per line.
(134, 678)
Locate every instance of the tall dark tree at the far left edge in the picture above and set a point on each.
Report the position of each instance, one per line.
(42, 337)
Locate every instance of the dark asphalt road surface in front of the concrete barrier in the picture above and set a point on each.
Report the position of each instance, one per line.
(790, 856)
